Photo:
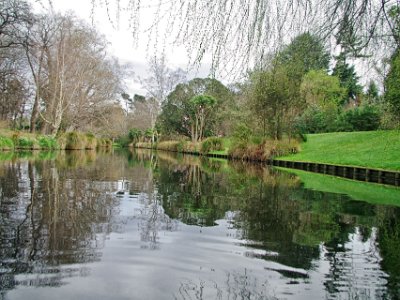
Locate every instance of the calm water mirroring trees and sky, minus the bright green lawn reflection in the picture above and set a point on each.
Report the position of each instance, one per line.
(145, 226)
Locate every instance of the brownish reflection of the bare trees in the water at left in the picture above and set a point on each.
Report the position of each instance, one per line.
(49, 218)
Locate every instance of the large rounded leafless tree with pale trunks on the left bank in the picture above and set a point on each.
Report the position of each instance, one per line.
(71, 71)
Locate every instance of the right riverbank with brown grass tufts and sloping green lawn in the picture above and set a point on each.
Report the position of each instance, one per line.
(368, 149)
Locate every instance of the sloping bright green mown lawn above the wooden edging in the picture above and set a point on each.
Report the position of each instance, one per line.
(374, 149)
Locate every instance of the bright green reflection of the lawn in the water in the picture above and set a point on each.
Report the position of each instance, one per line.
(357, 190)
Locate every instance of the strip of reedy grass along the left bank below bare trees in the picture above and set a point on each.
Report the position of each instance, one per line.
(17, 140)
